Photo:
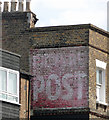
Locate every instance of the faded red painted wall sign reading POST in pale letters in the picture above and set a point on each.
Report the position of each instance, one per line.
(60, 77)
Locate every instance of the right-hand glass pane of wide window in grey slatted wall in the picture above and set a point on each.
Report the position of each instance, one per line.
(12, 86)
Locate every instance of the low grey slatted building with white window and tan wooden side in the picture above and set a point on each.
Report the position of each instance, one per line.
(14, 87)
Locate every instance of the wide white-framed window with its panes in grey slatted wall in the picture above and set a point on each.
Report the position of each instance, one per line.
(9, 85)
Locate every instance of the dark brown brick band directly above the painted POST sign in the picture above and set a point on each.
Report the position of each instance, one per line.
(59, 36)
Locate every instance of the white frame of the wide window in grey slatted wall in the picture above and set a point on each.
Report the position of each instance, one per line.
(6, 92)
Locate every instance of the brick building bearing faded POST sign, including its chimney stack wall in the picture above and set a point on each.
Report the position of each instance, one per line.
(69, 65)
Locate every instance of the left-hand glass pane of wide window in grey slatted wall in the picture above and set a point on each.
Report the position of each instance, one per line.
(3, 81)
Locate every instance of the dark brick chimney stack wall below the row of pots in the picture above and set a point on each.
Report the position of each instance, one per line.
(15, 38)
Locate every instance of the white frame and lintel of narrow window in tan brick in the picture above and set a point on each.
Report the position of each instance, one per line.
(100, 65)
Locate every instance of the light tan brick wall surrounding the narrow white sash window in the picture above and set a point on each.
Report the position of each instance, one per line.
(97, 50)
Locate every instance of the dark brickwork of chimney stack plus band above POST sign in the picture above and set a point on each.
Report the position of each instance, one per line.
(19, 38)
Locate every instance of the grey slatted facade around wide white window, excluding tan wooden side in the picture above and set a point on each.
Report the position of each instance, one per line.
(9, 85)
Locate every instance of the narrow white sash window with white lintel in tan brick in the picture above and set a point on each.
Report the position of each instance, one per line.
(100, 81)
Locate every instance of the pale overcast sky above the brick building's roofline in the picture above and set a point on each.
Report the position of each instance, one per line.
(70, 12)
